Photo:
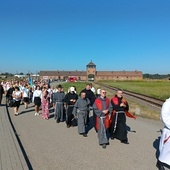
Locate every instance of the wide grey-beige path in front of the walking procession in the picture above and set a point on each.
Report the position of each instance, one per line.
(53, 146)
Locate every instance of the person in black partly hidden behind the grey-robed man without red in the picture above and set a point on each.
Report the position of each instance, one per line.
(90, 95)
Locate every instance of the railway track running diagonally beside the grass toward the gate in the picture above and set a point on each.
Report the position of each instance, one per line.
(147, 99)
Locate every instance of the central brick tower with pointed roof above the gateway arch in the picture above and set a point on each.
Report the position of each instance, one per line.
(91, 71)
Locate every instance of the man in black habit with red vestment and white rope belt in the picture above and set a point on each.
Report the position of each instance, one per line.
(118, 107)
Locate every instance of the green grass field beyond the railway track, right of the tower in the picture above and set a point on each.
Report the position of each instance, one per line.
(158, 89)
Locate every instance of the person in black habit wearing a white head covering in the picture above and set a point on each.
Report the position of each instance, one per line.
(70, 99)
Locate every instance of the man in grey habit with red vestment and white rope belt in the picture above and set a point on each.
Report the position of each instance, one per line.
(101, 106)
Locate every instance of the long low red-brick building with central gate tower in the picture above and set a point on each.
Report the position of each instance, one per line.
(92, 74)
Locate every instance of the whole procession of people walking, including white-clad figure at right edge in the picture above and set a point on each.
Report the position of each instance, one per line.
(108, 115)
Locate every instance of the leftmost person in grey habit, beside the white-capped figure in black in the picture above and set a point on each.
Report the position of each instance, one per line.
(58, 99)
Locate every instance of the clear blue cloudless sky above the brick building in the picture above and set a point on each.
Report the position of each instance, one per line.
(66, 35)
